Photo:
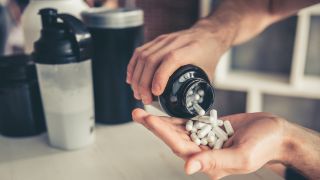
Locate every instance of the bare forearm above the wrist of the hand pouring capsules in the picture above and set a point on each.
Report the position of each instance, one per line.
(237, 21)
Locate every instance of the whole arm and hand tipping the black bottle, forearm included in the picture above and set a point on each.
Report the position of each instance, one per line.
(234, 22)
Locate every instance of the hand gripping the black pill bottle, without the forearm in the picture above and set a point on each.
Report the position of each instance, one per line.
(153, 63)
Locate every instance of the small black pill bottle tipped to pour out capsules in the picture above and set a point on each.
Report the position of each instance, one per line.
(174, 101)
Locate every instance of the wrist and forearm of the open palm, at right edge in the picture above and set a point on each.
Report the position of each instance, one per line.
(301, 150)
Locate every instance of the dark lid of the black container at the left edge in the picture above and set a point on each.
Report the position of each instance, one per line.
(16, 67)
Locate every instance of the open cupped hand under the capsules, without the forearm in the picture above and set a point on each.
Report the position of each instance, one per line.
(258, 139)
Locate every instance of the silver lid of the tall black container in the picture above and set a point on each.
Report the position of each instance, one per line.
(113, 18)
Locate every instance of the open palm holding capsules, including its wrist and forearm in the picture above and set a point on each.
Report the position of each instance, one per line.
(259, 139)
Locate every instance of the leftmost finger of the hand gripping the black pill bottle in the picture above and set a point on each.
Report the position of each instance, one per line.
(133, 61)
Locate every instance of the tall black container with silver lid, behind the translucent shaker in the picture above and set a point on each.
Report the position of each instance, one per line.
(115, 33)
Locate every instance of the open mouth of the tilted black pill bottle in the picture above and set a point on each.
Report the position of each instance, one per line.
(207, 99)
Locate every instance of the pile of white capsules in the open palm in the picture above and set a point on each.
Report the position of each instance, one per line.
(208, 131)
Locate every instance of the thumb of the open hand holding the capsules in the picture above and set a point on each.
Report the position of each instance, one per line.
(210, 161)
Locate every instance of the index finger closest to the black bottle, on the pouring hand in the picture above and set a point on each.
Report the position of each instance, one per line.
(172, 61)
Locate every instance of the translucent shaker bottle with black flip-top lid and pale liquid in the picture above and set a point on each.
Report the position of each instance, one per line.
(62, 56)
